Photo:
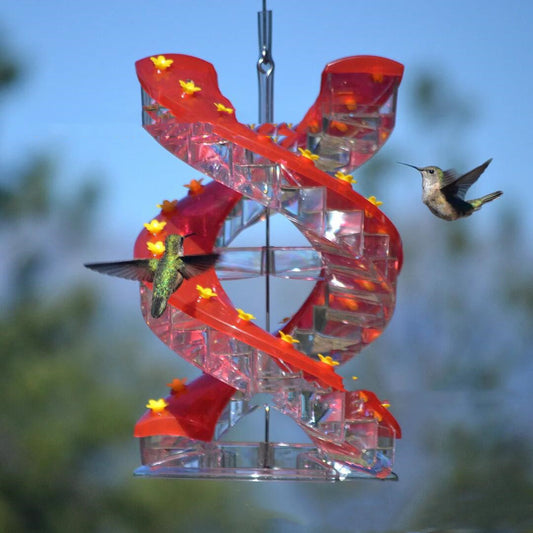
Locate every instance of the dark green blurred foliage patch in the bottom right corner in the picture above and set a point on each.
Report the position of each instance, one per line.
(487, 487)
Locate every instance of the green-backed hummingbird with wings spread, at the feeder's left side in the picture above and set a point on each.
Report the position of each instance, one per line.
(166, 273)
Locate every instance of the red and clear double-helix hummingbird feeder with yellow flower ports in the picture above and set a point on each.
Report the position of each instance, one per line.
(302, 172)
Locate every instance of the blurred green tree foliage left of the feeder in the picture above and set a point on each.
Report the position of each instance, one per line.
(70, 385)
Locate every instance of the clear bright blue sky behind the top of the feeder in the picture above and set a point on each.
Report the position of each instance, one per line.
(80, 97)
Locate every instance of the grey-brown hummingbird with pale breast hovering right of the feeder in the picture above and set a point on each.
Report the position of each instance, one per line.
(444, 193)
